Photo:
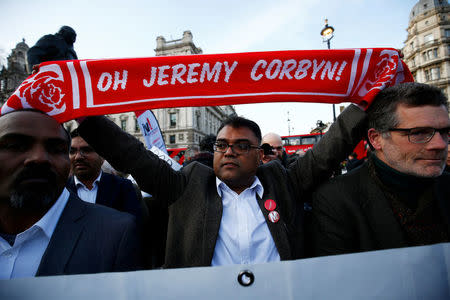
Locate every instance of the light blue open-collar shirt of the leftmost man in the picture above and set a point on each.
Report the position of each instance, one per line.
(24, 257)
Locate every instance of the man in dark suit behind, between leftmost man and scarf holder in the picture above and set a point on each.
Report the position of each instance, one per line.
(94, 186)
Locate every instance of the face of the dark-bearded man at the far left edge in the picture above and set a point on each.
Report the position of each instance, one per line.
(34, 159)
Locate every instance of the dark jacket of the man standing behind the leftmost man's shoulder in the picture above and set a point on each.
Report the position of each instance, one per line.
(116, 192)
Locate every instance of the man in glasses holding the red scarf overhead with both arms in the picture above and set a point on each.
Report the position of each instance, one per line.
(239, 212)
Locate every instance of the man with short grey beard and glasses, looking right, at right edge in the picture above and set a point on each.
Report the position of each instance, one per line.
(400, 197)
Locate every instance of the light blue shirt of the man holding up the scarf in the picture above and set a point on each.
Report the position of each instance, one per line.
(244, 237)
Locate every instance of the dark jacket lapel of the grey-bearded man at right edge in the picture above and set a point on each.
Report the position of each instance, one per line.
(386, 229)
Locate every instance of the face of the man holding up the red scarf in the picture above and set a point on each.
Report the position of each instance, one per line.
(237, 170)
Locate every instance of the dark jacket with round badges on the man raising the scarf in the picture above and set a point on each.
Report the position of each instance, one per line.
(195, 208)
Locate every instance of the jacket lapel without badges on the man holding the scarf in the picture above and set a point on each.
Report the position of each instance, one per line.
(213, 217)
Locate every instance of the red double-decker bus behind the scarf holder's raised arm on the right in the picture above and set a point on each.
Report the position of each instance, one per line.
(304, 142)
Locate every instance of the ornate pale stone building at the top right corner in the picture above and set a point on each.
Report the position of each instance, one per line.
(427, 47)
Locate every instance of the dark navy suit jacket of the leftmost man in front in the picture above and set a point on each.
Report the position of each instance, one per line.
(91, 238)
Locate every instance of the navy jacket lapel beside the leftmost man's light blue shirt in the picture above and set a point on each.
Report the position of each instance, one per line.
(64, 239)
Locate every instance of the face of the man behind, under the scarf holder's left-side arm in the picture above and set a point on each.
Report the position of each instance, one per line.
(85, 162)
